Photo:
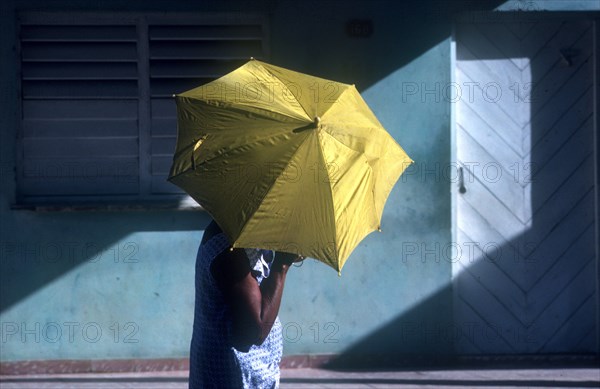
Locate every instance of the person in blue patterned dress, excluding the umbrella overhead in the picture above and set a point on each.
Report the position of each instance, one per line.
(237, 340)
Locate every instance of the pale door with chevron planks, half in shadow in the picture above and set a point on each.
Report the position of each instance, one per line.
(525, 280)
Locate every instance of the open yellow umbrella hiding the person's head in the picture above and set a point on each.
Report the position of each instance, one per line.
(286, 161)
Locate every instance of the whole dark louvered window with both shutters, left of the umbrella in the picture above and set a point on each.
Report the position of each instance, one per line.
(98, 121)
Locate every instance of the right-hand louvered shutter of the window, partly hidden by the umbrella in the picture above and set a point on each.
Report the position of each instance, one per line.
(185, 56)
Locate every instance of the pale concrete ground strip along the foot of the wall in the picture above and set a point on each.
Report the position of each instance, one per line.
(317, 378)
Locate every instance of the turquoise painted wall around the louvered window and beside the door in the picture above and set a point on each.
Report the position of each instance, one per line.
(100, 284)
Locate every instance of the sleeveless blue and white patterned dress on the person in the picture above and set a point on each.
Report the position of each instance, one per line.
(214, 363)
